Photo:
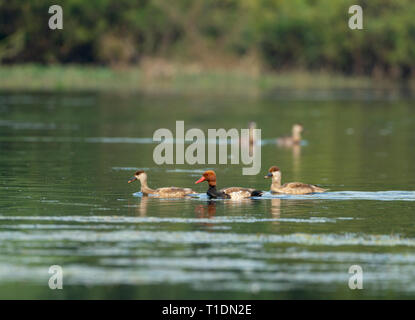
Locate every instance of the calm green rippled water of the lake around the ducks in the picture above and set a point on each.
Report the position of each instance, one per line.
(64, 200)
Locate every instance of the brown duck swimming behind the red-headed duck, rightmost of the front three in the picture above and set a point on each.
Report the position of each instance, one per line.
(292, 187)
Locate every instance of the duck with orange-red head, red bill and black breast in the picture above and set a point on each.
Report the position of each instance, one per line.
(234, 193)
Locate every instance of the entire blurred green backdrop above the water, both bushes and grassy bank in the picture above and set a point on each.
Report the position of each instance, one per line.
(197, 38)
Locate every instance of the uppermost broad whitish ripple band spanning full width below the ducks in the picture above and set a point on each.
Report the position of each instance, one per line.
(199, 237)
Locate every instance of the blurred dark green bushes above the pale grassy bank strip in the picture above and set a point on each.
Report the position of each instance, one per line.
(294, 34)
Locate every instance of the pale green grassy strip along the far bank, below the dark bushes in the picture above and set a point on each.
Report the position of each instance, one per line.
(175, 79)
